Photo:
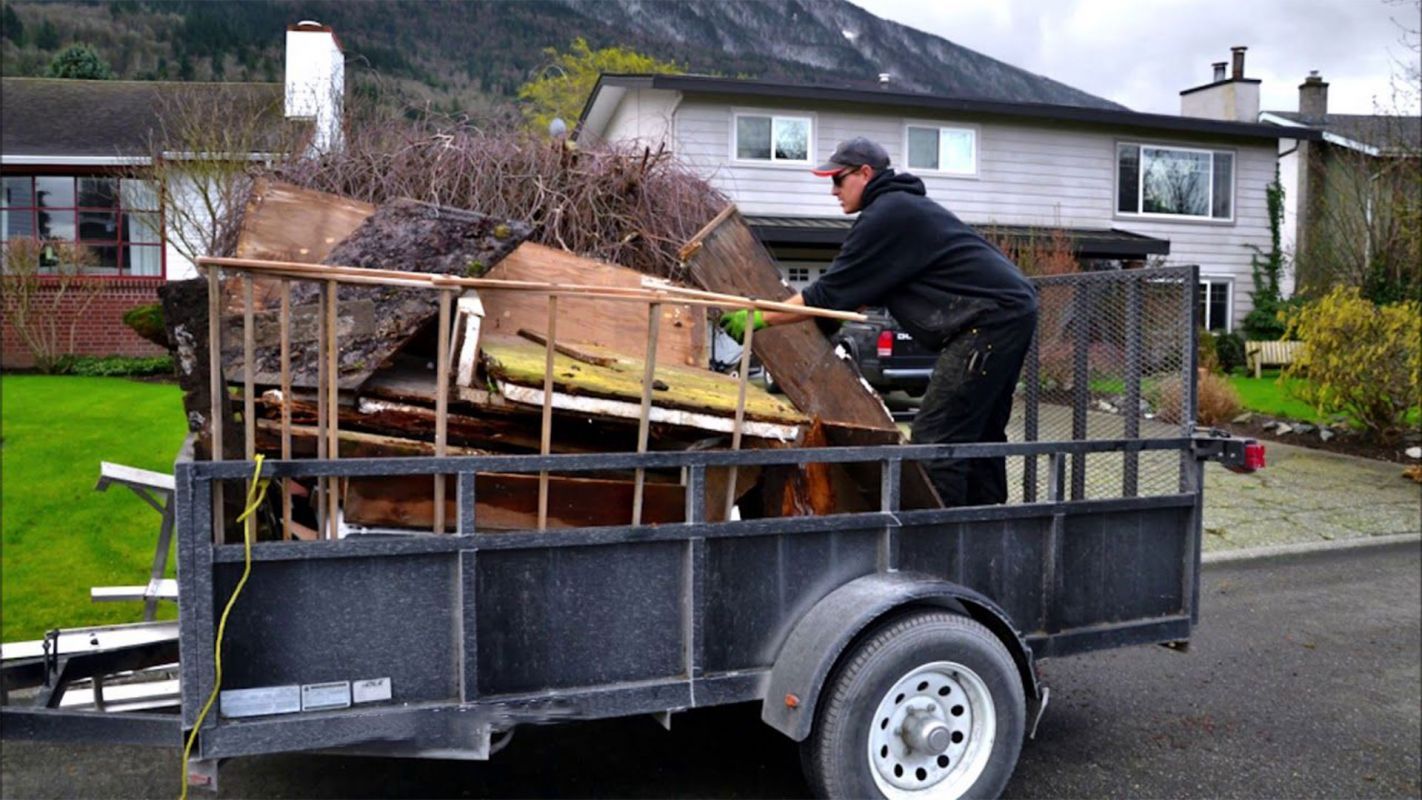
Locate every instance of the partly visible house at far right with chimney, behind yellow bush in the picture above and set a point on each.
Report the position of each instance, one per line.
(1343, 191)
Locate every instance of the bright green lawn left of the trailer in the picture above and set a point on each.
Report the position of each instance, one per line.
(60, 536)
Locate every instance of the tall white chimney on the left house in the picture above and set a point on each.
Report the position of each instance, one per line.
(316, 83)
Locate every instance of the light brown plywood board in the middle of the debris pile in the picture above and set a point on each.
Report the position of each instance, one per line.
(616, 325)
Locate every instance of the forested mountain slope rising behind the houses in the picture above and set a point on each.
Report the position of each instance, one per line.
(473, 56)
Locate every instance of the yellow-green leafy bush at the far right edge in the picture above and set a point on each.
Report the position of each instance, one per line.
(1359, 359)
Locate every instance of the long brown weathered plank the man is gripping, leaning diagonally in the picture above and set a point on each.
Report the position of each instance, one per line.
(726, 256)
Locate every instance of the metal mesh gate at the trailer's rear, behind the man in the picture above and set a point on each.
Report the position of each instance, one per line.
(1114, 359)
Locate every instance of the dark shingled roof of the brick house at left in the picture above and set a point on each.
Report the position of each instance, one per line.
(93, 120)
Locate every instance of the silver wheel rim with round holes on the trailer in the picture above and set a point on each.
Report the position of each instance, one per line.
(941, 704)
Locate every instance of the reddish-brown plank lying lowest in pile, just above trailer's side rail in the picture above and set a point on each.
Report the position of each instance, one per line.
(511, 502)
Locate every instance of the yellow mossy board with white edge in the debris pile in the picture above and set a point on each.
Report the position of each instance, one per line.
(518, 364)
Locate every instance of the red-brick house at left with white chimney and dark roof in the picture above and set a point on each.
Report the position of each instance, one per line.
(76, 164)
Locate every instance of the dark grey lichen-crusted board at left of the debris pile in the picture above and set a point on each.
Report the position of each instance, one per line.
(376, 322)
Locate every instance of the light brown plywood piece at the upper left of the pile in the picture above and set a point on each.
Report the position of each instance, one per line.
(289, 224)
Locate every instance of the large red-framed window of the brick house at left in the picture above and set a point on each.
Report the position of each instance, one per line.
(116, 218)
